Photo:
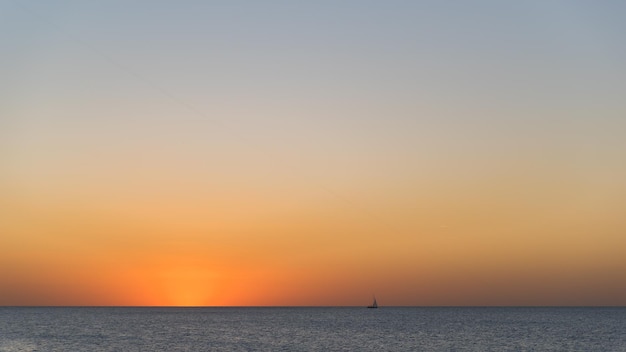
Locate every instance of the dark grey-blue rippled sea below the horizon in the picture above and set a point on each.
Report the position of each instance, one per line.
(312, 329)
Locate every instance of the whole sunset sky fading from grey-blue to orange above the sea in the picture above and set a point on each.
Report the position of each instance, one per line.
(430, 153)
